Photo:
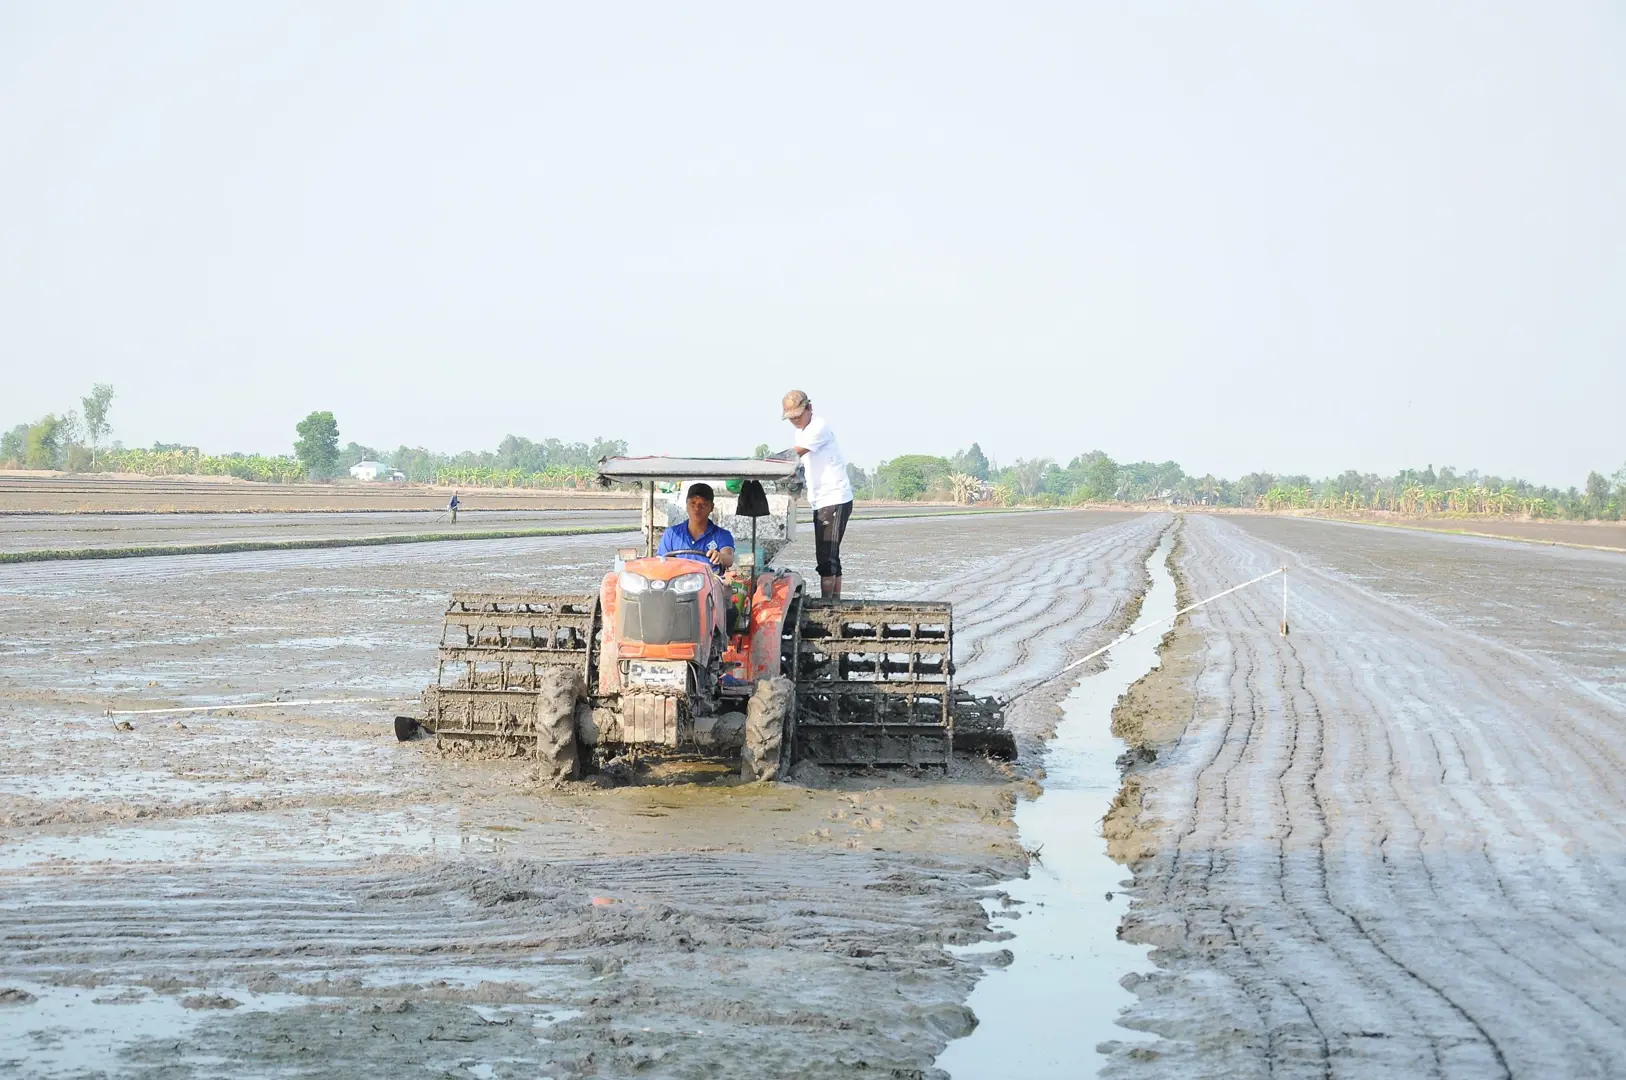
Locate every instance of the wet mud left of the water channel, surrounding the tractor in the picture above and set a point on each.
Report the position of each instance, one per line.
(292, 892)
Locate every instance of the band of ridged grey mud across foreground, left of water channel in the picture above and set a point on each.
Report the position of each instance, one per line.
(344, 921)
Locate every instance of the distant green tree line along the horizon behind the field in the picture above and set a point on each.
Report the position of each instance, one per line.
(72, 442)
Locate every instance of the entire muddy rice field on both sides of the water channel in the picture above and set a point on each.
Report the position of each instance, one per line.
(1391, 843)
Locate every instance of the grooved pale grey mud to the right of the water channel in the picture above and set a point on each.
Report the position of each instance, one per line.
(1404, 795)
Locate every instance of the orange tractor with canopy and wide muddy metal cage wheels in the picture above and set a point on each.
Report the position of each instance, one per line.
(669, 656)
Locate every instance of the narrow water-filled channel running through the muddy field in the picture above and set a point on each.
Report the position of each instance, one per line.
(1046, 1012)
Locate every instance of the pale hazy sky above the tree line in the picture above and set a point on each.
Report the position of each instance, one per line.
(1292, 237)
